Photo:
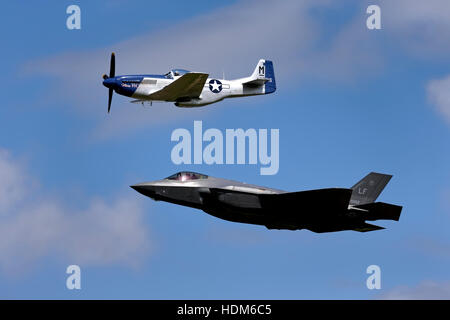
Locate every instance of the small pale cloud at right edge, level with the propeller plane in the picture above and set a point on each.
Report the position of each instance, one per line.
(439, 95)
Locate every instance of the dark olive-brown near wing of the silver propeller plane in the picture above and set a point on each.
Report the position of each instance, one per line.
(190, 85)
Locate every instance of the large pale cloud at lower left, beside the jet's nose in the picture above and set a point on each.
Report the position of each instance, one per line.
(34, 227)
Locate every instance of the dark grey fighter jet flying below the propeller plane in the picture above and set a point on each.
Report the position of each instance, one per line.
(322, 210)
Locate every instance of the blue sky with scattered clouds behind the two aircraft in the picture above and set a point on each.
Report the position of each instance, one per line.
(349, 101)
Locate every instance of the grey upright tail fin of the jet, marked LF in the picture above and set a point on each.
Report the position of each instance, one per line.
(369, 188)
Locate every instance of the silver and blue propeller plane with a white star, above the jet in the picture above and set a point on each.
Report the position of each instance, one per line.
(186, 88)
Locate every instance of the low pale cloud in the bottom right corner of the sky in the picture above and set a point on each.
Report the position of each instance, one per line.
(426, 290)
